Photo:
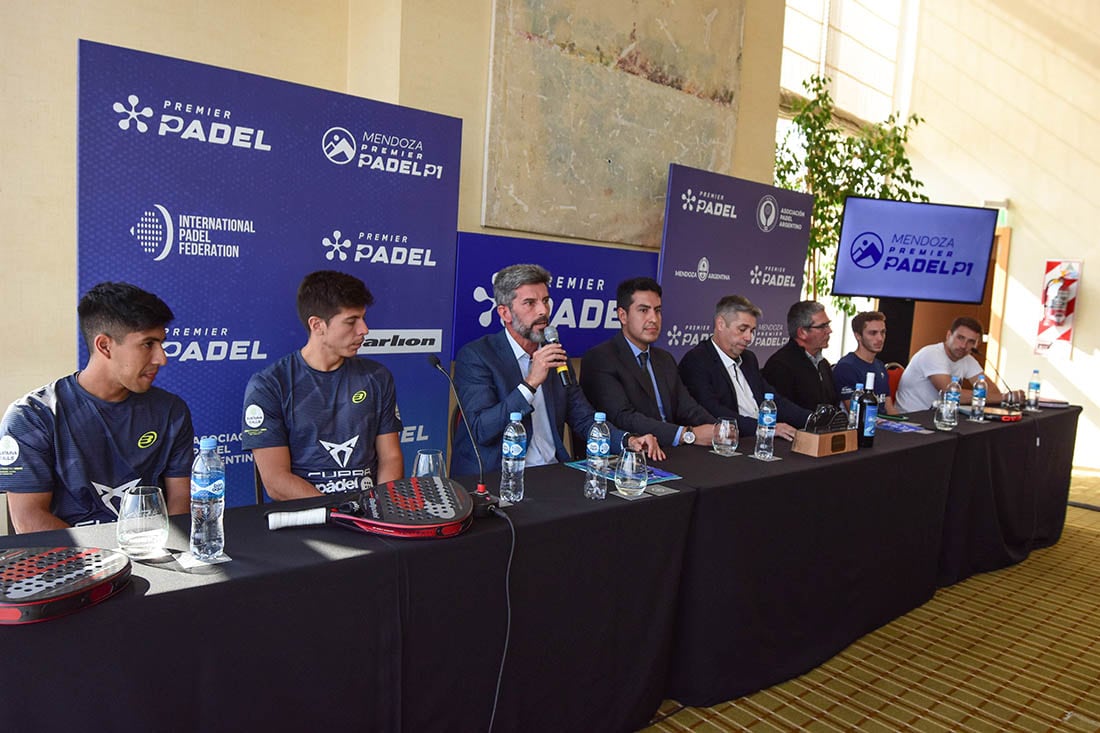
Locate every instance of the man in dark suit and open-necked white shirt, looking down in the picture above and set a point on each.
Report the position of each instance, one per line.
(725, 377)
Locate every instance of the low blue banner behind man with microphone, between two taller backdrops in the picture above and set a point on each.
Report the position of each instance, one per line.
(584, 286)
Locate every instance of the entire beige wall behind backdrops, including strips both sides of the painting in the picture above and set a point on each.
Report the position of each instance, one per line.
(430, 54)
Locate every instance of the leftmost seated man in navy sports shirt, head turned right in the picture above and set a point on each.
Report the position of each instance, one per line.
(69, 450)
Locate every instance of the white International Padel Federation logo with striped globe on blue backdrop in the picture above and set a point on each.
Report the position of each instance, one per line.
(160, 234)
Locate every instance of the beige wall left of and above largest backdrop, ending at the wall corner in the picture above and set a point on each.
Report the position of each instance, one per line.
(304, 42)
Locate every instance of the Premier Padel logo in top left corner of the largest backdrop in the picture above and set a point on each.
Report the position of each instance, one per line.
(194, 122)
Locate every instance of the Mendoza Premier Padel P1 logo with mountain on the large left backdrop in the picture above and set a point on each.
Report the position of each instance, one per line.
(381, 151)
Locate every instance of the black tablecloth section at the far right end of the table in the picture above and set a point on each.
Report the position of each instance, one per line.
(1009, 488)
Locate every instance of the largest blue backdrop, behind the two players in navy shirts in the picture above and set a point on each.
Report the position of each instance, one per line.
(219, 191)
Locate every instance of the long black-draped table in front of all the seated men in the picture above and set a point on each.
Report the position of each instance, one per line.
(752, 574)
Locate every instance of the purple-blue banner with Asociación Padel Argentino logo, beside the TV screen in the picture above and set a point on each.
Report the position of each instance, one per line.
(724, 236)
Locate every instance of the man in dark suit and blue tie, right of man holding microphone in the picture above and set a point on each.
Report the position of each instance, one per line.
(636, 384)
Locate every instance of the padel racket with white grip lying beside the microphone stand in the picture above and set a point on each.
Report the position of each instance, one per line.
(422, 508)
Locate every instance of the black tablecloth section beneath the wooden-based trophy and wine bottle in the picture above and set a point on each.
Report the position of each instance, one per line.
(788, 563)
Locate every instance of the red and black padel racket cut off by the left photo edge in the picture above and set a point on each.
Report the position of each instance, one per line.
(38, 584)
